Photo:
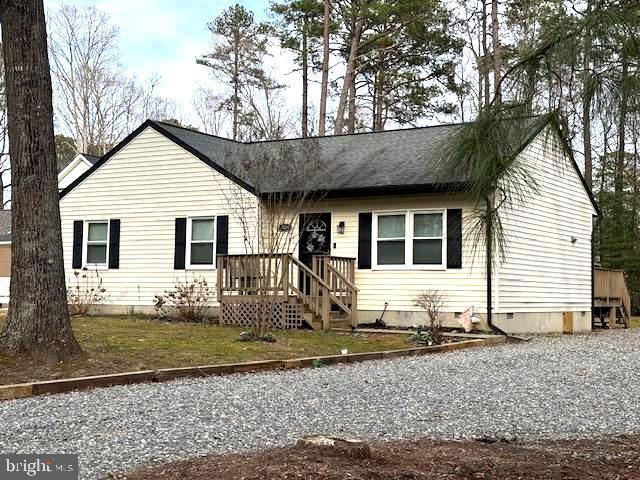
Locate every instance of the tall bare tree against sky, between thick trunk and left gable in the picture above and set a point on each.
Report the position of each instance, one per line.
(96, 102)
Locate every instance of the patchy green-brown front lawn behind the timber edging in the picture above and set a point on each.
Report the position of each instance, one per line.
(122, 344)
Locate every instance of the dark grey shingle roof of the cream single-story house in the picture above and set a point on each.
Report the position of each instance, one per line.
(394, 158)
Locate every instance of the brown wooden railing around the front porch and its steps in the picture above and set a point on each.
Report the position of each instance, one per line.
(330, 280)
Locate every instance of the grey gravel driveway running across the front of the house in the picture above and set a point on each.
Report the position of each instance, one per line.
(561, 387)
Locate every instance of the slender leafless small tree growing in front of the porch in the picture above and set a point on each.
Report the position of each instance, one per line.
(284, 175)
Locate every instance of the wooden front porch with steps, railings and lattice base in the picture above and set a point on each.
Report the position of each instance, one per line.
(284, 292)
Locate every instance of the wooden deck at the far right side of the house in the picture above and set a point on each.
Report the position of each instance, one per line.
(611, 299)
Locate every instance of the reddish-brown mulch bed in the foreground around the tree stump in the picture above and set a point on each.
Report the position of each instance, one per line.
(602, 459)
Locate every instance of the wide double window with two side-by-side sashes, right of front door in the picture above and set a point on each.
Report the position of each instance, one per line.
(409, 239)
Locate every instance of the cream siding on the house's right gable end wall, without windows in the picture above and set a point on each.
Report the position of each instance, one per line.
(544, 270)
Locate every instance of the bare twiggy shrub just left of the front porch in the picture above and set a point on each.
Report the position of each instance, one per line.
(187, 302)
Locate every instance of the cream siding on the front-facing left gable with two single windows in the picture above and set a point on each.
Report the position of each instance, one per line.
(147, 185)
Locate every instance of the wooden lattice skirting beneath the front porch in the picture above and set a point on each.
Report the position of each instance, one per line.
(242, 312)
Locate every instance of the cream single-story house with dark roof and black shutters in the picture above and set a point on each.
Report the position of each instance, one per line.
(171, 204)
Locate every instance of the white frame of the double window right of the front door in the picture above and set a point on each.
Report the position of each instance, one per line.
(408, 240)
